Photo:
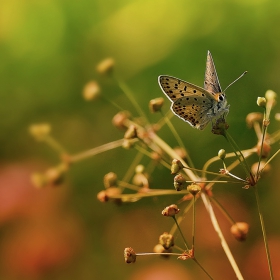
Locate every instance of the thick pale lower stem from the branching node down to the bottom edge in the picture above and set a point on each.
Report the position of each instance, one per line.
(214, 221)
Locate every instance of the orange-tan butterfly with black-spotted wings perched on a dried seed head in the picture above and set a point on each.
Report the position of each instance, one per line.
(195, 105)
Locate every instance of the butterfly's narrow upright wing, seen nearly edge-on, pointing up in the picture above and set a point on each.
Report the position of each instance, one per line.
(211, 81)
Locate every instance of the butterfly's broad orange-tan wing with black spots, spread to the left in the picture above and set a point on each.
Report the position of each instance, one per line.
(191, 103)
